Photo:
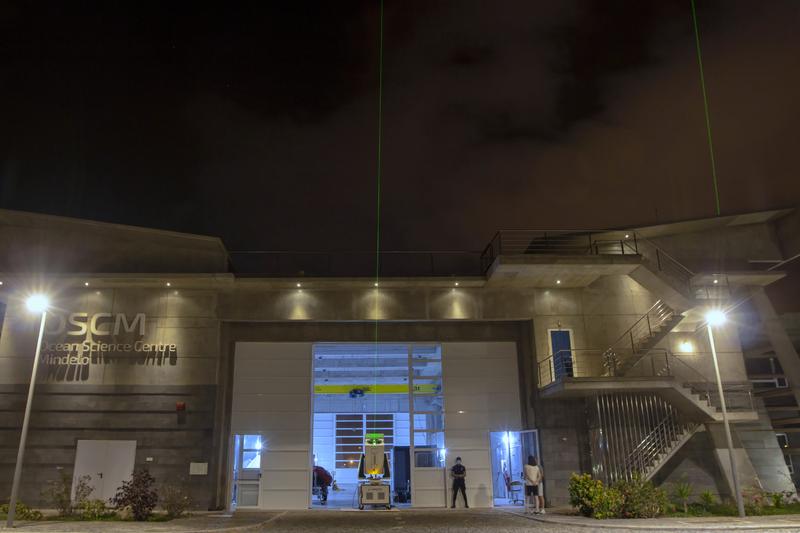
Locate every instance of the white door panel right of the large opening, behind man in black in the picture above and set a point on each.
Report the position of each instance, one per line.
(481, 394)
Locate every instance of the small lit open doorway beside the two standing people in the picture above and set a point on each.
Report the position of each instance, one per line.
(509, 453)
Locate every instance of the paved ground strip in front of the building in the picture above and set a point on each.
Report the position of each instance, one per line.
(435, 521)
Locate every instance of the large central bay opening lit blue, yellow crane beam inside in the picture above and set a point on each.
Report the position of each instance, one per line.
(391, 389)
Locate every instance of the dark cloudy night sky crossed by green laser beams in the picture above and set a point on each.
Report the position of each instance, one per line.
(257, 121)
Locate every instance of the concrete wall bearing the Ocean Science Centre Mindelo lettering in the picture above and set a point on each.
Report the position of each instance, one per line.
(129, 395)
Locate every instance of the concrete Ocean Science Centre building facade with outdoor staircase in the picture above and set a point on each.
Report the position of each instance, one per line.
(588, 346)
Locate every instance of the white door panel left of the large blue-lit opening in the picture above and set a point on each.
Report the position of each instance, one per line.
(272, 397)
